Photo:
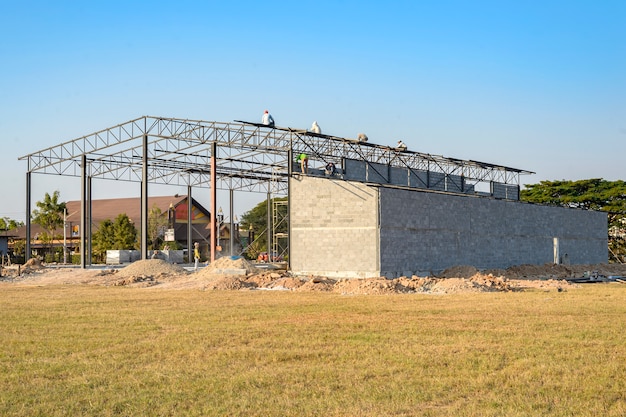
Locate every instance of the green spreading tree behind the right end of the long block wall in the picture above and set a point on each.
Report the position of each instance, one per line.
(591, 194)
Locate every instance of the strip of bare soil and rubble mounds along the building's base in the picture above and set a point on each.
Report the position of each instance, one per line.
(239, 274)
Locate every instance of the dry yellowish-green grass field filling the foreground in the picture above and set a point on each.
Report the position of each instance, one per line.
(86, 351)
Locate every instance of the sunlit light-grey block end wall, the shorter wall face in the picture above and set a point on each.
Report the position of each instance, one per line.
(334, 228)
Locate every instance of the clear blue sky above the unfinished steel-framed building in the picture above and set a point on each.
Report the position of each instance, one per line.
(537, 85)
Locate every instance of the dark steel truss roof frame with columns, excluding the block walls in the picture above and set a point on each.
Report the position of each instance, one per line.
(235, 155)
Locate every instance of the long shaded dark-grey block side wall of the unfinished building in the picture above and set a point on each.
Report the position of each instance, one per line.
(428, 232)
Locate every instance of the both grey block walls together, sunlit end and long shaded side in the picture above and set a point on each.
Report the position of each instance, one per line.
(361, 230)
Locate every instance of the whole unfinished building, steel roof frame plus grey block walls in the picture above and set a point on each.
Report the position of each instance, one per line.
(359, 209)
